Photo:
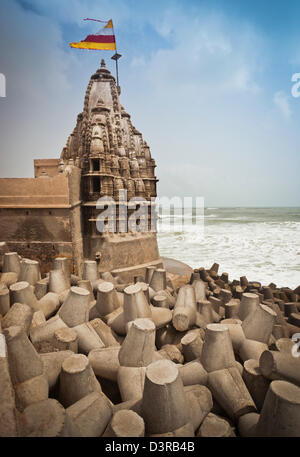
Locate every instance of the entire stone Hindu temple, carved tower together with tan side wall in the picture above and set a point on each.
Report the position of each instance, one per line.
(55, 213)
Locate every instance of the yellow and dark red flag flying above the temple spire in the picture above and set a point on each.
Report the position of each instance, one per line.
(104, 40)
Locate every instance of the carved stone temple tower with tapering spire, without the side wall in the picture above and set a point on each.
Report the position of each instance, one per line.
(113, 158)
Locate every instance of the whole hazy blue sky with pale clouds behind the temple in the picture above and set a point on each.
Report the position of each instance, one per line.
(208, 83)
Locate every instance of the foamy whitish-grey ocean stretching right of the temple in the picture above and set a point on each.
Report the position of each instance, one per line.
(260, 243)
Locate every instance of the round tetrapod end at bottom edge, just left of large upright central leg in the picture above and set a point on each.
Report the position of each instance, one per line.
(125, 423)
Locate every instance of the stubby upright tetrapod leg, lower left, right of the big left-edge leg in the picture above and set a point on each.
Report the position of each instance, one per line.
(77, 380)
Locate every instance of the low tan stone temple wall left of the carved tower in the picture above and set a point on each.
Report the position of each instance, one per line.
(40, 218)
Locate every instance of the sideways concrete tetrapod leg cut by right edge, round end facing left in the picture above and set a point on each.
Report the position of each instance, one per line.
(276, 365)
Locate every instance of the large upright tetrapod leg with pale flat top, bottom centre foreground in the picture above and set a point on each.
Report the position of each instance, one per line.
(164, 403)
